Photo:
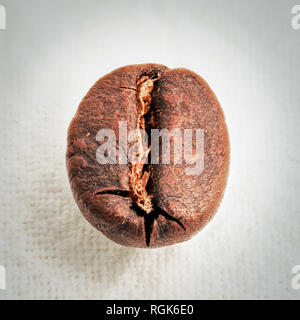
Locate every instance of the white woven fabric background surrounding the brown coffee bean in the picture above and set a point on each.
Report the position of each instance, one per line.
(53, 51)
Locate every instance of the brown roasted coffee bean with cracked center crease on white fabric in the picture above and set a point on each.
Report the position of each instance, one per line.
(148, 202)
